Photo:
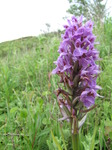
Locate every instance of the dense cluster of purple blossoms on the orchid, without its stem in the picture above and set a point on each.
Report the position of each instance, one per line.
(76, 63)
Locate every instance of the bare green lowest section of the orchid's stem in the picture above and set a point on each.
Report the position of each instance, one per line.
(75, 141)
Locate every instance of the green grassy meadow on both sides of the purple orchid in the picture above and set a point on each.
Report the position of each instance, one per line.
(29, 111)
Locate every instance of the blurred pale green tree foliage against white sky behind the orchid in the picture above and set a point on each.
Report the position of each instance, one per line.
(90, 9)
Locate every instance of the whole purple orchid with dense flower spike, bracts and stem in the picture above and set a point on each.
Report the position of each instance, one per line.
(78, 71)
